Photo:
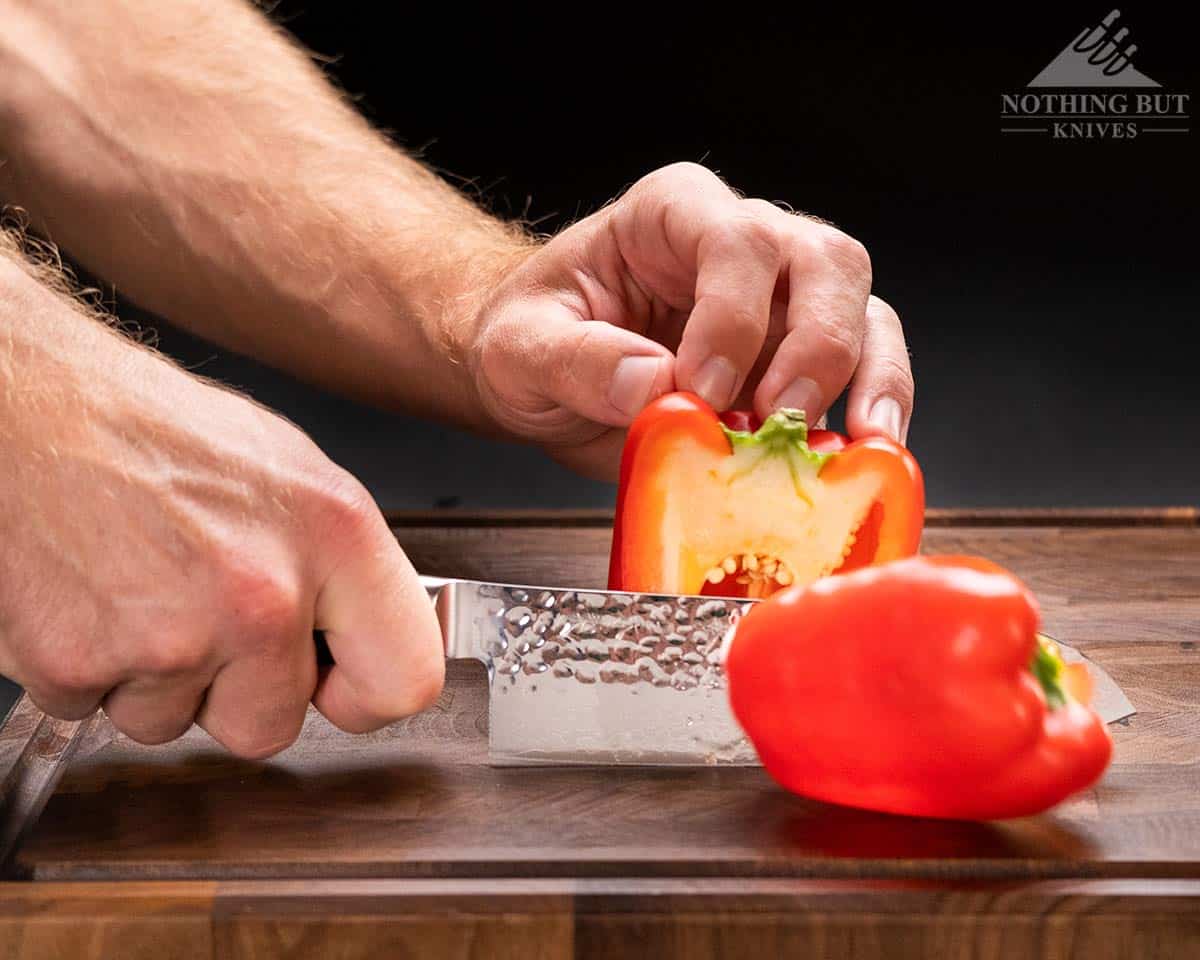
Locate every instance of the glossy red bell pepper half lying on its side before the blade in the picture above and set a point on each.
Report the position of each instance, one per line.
(921, 687)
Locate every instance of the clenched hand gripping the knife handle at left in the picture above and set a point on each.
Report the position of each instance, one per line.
(169, 548)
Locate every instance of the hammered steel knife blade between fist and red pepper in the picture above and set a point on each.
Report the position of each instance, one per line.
(599, 677)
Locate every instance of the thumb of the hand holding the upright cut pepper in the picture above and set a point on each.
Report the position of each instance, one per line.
(553, 367)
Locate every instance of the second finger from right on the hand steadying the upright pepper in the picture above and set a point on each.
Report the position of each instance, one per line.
(830, 281)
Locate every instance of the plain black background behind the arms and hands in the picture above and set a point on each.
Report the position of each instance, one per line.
(1048, 289)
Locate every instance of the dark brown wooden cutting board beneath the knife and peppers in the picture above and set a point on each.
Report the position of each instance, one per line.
(412, 833)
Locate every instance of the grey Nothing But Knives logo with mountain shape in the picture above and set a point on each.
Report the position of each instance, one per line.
(1093, 92)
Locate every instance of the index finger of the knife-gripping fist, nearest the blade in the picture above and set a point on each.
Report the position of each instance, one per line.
(383, 634)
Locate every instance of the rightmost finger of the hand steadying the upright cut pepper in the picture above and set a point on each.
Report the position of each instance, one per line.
(881, 397)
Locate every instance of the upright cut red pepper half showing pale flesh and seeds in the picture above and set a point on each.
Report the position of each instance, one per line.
(731, 507)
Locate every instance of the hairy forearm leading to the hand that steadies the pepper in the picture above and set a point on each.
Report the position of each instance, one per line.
(193, 157)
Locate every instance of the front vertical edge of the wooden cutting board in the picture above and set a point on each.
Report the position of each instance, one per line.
(603, 919)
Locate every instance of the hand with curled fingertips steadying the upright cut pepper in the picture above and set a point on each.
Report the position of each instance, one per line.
(683, 285)
